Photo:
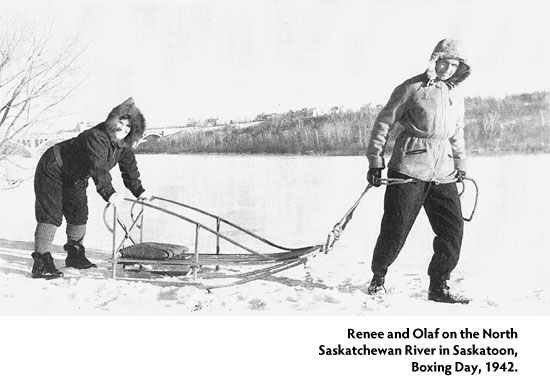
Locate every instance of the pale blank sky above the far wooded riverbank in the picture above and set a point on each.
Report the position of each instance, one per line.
(234, 59)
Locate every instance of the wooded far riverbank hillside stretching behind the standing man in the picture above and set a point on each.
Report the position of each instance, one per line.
(516, 123)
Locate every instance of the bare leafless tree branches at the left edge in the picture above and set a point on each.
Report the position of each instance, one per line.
(36, 75)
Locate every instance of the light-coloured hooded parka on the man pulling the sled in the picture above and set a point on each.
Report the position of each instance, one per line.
(430, 146)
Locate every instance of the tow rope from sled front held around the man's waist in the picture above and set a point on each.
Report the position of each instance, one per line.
(339, 227)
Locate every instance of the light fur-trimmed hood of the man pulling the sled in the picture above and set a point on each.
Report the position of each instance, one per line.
(449, 48)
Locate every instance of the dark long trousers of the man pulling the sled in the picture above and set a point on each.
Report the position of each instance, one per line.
(402, 204)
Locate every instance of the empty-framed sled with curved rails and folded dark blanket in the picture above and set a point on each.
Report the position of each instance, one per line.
(172, 264)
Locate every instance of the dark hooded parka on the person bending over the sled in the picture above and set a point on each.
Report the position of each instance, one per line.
(95, 151)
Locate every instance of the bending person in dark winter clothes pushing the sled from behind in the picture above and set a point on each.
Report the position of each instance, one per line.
(61, 179)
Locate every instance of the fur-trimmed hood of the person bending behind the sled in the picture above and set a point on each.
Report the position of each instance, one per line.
(137, 122)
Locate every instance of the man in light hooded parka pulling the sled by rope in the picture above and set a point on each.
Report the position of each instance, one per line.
(430, 149)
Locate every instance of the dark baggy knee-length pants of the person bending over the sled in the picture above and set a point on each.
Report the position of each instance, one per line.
(57, 195)
